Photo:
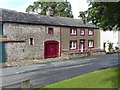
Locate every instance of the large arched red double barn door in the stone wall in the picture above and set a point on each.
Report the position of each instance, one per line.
(51, 49)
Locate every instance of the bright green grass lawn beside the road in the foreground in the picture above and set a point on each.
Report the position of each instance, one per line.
(107, 78)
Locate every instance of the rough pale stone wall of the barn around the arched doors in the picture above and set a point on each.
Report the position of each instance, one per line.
(15, 51)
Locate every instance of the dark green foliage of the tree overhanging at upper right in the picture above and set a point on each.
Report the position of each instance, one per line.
(103, 14)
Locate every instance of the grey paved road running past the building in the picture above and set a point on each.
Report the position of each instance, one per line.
(43, 74)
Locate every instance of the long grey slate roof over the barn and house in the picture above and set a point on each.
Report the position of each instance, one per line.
(19, 17)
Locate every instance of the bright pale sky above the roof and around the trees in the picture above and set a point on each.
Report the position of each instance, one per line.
(21, 5)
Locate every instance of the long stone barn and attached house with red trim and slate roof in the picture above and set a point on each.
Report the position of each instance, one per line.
(34, 37)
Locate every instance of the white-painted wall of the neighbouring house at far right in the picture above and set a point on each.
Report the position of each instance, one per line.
(109, 37)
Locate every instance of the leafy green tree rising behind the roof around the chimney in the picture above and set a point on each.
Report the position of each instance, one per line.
(60, 8)
